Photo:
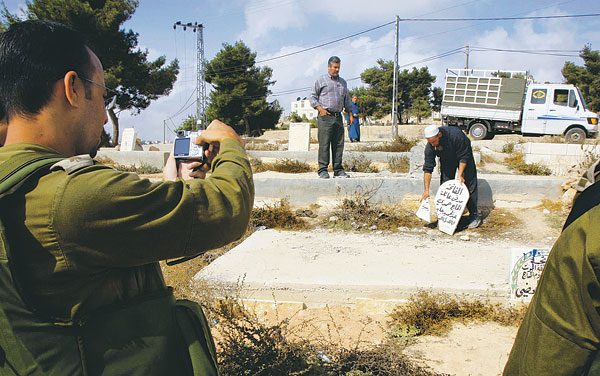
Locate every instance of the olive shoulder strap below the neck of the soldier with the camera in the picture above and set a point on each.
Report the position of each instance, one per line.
(16, 169)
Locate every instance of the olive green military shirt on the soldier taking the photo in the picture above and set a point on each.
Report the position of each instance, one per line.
(91, 236)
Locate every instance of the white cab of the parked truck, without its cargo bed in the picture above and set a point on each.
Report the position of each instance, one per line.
(557, 109)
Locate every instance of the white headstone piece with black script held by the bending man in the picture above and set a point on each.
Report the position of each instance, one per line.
(450, 202)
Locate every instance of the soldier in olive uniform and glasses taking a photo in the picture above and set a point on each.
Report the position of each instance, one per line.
(81, 290)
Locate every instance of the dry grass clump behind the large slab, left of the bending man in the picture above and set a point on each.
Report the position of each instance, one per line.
(358, 214)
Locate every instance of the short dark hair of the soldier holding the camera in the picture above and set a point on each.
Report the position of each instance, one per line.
(33, 56)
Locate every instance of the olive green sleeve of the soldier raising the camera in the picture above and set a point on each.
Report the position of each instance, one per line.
(106, 218)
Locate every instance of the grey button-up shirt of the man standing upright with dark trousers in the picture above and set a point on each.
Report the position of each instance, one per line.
(331, 94)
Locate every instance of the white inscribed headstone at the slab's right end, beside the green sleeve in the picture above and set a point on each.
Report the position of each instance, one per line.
(526, 266)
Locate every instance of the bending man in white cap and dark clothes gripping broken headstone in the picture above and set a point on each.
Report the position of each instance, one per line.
(453, 148)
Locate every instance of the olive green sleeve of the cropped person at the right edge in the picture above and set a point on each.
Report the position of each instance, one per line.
(560, 332)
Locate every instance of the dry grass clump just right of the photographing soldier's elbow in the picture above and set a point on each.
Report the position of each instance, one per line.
(278, 215)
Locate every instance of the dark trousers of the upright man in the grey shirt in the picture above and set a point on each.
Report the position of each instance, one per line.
(331, 136)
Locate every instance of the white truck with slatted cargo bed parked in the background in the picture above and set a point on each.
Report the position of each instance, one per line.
(485, 102)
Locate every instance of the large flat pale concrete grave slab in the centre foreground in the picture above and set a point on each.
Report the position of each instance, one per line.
(320, 267)
